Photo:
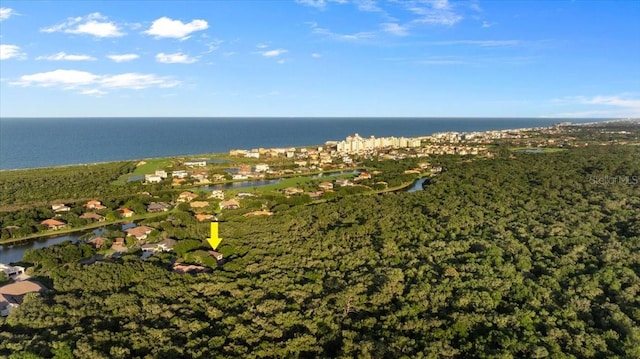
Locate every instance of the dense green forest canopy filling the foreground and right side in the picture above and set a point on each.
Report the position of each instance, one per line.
(523, 255)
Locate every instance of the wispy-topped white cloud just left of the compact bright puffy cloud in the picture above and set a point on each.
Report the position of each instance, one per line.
(93, 24)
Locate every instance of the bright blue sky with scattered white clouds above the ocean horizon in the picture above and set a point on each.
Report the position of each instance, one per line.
(430, 58)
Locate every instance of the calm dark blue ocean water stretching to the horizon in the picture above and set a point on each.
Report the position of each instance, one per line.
(44, 142)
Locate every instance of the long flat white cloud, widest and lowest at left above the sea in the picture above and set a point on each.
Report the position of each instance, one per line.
(93, 84)
